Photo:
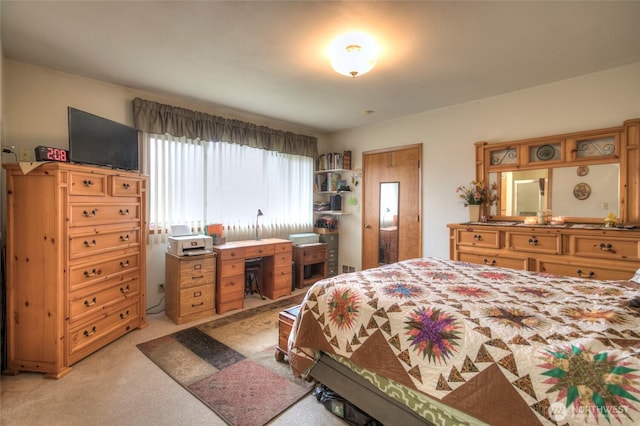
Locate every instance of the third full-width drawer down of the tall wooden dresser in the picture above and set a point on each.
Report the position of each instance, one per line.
(88, 273)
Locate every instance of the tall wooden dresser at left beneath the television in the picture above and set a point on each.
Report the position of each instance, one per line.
(75, 263)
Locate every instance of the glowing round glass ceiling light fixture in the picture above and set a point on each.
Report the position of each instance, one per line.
(353, 54)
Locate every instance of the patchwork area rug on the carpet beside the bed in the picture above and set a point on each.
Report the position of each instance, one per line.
(229, 364)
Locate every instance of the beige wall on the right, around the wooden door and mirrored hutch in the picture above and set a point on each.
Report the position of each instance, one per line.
(591, 101)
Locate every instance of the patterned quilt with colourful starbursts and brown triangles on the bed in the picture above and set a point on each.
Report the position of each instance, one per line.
(504, 346)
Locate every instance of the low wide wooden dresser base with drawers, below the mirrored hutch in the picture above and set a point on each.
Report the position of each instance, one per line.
(586, 251)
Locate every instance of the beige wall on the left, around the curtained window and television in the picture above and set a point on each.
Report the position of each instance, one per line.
(35, 113)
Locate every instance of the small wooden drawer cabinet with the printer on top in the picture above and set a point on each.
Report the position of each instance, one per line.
(190, 287)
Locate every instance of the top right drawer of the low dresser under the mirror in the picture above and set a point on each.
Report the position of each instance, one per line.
(605, 247)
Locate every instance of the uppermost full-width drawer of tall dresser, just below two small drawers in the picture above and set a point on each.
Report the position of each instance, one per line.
(85, 214)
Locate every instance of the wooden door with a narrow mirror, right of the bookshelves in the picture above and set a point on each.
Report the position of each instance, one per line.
(380, 169)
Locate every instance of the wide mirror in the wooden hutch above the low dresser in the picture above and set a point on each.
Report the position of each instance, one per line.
(586, 191)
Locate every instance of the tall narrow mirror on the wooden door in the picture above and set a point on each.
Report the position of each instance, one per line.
(388, 227)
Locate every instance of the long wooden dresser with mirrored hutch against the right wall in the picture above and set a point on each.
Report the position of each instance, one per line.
(577, 179)
